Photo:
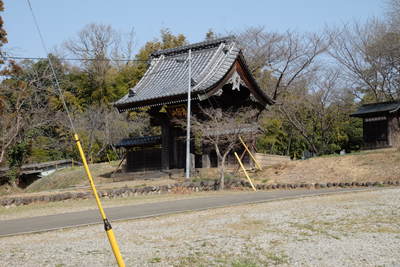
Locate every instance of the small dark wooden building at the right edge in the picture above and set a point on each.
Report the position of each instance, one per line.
(380, 124)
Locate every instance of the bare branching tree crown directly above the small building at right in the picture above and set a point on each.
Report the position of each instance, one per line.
(370, 57)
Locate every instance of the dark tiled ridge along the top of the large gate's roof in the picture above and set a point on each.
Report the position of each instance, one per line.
(195, 46)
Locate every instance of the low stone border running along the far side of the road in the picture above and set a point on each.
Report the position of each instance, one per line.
(209, 185)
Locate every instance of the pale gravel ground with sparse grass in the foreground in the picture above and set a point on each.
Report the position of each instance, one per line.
(352, 229)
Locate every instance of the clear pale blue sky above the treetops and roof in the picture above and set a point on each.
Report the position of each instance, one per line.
(62, 19)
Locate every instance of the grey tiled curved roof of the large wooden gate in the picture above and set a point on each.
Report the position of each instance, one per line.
(166, 80)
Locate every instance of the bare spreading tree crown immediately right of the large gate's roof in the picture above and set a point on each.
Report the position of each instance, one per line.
(279, 60)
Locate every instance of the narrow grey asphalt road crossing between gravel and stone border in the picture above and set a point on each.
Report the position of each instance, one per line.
(82, 218)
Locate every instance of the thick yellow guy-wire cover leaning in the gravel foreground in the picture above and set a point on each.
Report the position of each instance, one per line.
(107, 225)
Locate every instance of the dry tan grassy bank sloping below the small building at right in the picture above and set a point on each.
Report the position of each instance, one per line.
(375, 165)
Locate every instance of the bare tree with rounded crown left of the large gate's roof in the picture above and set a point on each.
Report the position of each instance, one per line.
(100, 46)
